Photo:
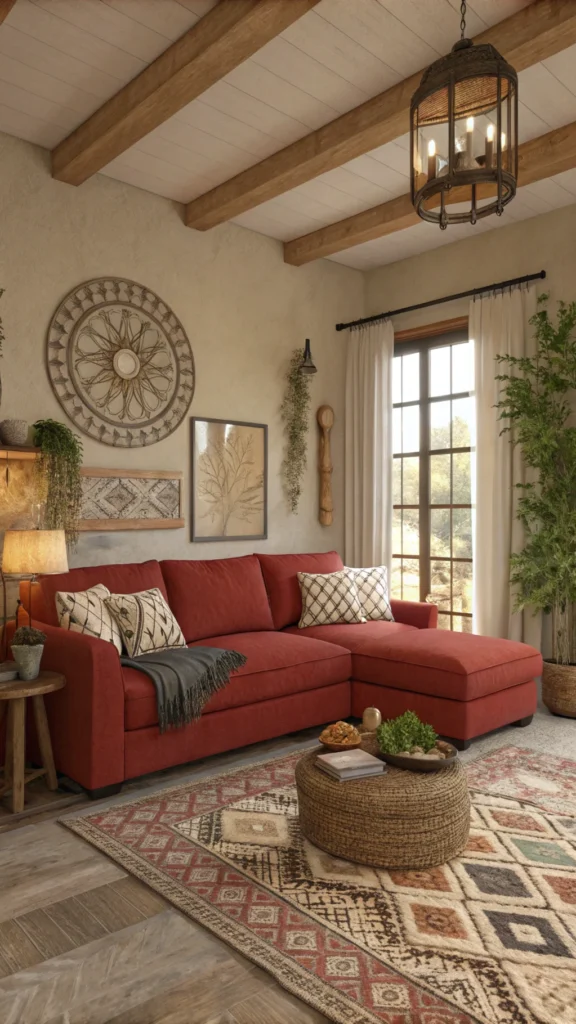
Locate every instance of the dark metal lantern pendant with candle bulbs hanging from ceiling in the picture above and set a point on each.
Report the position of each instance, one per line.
(464, 135)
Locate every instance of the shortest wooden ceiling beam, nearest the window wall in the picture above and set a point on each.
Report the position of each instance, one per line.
(551, 154)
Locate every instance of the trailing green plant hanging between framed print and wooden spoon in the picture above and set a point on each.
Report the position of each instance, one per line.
(296, 407)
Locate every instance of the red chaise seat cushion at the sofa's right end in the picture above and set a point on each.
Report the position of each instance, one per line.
(458, 666)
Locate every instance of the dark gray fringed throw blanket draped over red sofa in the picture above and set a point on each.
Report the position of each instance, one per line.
(186, 678)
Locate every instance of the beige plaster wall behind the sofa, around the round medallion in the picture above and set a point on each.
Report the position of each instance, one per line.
(244, 311)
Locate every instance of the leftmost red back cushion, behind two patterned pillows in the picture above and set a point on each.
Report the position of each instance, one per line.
(119, 579)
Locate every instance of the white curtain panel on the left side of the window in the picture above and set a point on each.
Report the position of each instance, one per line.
(368, 504)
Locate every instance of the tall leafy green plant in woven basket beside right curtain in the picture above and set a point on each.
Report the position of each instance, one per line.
(537, 408)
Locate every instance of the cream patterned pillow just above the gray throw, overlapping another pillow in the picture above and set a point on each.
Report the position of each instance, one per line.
(146, 622)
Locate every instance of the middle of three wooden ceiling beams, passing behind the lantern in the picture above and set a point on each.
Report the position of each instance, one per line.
(532, 35)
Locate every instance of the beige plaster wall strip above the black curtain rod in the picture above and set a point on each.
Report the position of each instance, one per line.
(545, 243)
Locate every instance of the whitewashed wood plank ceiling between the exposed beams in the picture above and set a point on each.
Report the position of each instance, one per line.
(62, 60)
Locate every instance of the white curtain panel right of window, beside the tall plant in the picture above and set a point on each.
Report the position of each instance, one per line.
(499, 326)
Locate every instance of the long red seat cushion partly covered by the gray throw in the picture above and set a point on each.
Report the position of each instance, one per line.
(277, 665)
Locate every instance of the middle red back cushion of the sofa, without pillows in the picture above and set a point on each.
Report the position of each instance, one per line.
(219, 596)
